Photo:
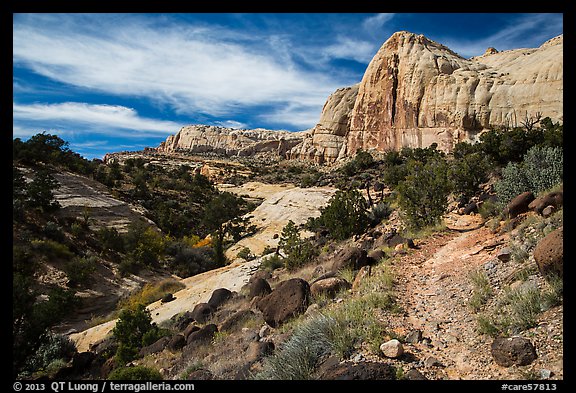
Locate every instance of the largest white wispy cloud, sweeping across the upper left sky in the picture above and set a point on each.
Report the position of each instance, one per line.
(190, 69)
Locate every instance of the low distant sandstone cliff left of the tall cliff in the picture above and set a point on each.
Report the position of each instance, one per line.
(231, 142)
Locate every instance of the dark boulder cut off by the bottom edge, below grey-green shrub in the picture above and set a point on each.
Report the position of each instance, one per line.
(361, 371)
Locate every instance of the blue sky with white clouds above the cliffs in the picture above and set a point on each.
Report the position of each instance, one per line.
(113, 82)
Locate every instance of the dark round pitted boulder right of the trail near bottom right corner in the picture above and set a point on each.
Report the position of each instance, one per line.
(511, 351)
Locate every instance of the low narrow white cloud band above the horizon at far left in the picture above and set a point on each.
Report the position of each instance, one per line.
(78, 116)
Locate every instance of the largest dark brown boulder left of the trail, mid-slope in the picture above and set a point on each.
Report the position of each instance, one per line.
(288, 299)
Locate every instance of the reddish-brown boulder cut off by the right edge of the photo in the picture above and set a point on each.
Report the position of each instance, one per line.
(549, 253)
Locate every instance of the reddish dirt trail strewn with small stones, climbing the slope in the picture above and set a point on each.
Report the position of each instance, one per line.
(434, 287)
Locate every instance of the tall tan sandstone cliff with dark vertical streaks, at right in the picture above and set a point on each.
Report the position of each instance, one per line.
(416, 92)
